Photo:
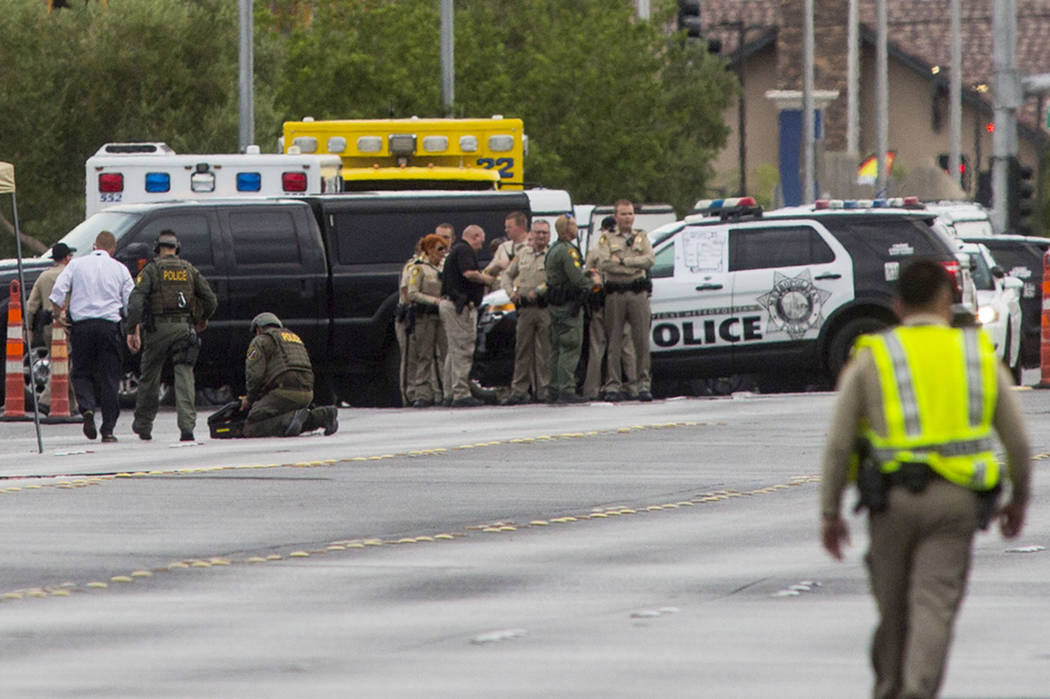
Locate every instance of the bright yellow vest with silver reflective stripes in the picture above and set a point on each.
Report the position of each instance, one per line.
(939, 396)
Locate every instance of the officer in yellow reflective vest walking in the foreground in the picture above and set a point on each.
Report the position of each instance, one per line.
(913, 426)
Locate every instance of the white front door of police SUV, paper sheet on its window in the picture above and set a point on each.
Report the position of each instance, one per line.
(692, 300)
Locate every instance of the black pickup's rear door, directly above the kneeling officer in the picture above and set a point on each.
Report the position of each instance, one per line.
(277, 264)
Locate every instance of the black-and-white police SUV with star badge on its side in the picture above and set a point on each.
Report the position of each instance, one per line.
(742, 291)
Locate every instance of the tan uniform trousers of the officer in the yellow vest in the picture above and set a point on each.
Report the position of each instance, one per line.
(918, 564)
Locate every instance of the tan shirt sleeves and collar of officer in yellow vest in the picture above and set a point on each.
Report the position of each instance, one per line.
(860, 398)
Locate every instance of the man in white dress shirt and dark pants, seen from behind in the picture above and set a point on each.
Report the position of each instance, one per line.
(99, 288)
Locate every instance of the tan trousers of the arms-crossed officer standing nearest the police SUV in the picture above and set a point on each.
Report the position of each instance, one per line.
(629, 308)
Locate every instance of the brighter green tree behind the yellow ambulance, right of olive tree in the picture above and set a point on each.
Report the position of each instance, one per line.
(613, 107)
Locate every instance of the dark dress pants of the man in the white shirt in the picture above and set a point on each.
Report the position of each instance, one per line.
(97, 369)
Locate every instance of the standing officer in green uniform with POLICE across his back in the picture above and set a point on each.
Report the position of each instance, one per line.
(171, 304)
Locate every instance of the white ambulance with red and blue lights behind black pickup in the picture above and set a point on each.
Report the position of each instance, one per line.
(150, 173)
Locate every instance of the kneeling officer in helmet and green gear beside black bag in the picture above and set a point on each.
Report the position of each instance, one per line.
(280, 383)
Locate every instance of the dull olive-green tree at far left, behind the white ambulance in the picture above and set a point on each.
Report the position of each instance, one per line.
(138, 71)
